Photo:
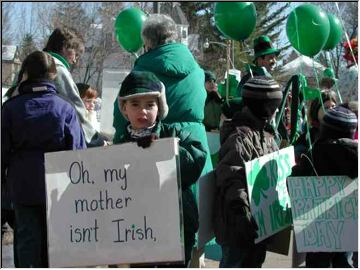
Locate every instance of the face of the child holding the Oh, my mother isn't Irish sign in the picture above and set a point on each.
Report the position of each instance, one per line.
(141, 111)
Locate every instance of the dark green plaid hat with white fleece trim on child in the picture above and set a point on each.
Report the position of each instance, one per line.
(143, 83)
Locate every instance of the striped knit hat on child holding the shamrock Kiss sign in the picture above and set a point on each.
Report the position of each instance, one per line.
(262, 95)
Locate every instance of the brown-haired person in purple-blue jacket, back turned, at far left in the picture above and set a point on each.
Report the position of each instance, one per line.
(34, 122)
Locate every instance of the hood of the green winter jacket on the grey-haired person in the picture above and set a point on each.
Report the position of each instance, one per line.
(165, 60)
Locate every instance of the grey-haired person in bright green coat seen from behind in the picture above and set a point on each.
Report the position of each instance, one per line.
(184, 81)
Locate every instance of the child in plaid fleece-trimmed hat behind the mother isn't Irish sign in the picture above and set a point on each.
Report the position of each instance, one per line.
(142, 102)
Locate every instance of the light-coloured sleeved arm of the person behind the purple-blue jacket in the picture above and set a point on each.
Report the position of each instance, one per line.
(67, 88)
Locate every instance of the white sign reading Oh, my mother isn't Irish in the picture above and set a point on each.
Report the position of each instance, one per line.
(114, 205)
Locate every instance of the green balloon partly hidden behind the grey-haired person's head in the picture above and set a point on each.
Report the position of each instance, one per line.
(128, 26)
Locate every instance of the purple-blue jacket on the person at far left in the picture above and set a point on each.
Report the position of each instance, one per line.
(32, 123)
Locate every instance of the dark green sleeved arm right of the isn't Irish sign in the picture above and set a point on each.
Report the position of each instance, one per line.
(192, 158)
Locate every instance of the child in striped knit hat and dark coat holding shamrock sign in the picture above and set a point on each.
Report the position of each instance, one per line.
(243, 138)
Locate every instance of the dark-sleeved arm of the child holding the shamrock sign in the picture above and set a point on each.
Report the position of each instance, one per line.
(232, 187)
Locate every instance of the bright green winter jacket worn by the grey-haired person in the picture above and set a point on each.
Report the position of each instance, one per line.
(184, 80)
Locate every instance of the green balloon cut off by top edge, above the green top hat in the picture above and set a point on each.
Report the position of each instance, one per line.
(235, 20)
